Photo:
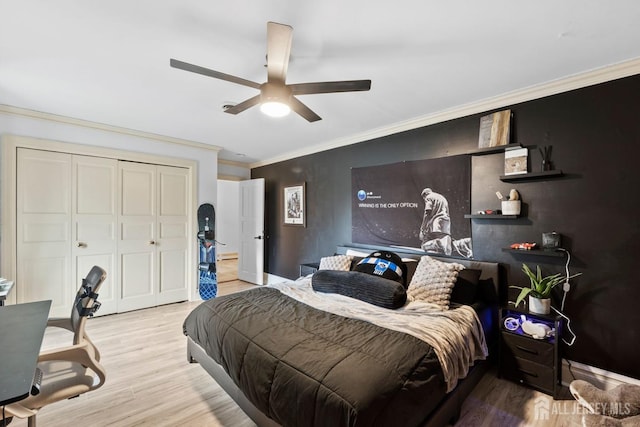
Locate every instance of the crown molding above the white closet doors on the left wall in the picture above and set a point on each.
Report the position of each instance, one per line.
(17, 111)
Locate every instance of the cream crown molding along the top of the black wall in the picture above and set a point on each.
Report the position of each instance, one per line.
(577, 81)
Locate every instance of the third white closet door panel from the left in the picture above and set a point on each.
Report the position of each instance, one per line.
(137, 236)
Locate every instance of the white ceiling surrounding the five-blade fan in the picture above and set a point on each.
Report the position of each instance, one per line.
(108, 61)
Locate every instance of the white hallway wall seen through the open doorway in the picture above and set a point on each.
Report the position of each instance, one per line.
(228, 217)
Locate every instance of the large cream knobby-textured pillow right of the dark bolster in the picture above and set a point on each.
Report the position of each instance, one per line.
(433, 281)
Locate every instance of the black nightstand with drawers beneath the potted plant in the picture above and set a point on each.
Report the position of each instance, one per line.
(527, 360)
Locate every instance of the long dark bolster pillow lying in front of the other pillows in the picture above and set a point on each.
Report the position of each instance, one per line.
(365, 287)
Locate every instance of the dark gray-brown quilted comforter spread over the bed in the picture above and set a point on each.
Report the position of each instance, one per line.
(306, 367)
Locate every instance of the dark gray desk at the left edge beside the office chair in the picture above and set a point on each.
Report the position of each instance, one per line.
(21, 332)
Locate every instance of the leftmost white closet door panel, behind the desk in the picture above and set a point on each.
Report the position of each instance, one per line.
(44, 229)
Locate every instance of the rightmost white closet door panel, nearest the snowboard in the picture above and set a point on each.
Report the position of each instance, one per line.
(173, 234)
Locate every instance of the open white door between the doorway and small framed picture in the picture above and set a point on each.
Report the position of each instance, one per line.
(251, 248)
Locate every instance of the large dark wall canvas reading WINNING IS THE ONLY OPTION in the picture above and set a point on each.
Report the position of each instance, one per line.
(418, 205)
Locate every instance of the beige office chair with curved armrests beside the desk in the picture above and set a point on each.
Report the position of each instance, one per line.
(72, 370)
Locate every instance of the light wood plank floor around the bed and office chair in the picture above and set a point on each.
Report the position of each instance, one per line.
(150, 383)
